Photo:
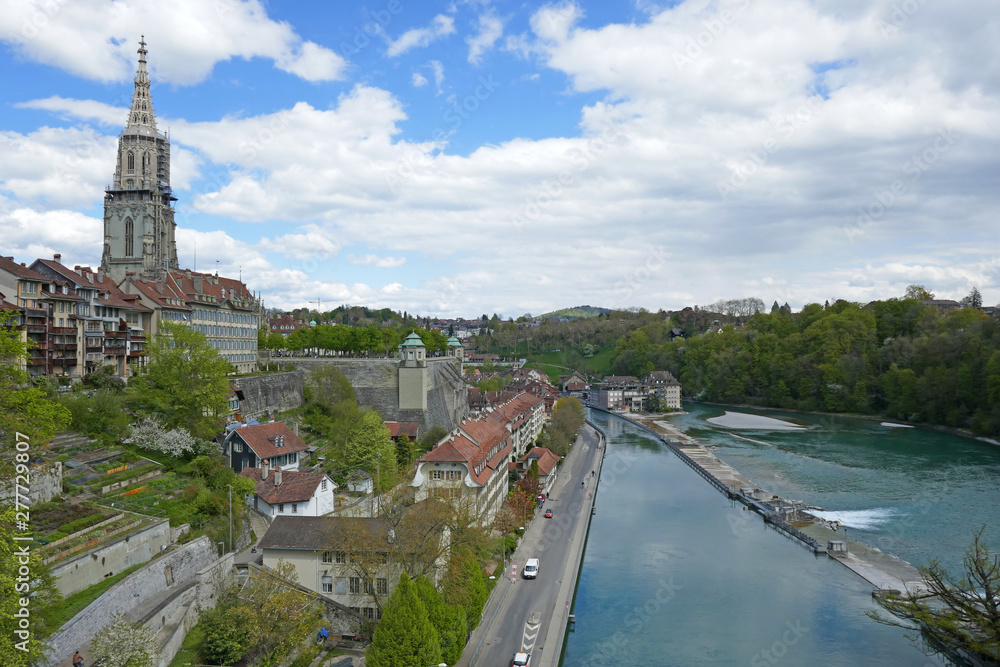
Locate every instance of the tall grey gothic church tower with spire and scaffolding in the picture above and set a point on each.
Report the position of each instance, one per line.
(138, 217)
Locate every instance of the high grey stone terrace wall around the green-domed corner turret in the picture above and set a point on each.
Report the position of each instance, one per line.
(376, 384)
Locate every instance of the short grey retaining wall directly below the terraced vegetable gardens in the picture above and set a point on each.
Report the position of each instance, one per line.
(91, 567)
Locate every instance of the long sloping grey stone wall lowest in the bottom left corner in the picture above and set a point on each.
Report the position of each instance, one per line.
(171, 569)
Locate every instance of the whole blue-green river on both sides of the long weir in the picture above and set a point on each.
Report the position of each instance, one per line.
(677, 574)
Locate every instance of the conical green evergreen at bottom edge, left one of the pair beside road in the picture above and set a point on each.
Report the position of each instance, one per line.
(405, 636)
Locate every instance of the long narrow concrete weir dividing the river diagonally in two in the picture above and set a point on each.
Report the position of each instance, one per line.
(883, 571)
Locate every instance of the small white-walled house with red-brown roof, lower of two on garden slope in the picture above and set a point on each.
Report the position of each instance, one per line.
(290, 492)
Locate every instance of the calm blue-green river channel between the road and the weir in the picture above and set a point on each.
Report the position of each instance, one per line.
(677, 574)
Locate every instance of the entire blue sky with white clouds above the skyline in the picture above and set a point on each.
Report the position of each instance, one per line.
(457, 158)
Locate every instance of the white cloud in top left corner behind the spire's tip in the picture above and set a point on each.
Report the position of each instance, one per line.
(186, 38)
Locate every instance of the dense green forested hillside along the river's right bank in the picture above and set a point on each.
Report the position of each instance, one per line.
(898, 358)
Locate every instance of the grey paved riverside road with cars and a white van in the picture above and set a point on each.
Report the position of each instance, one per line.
(526, 614)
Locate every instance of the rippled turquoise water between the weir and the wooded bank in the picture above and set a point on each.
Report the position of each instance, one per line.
(915, 493)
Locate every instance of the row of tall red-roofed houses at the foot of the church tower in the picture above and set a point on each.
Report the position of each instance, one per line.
(79, 320)
